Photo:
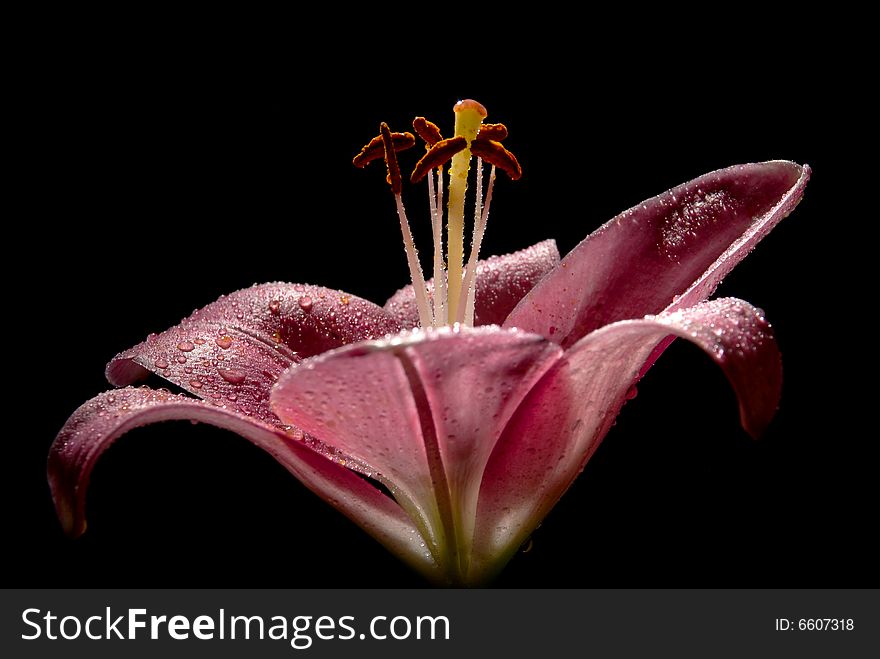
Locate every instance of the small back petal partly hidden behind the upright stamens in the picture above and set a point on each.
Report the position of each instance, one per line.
(501, 283)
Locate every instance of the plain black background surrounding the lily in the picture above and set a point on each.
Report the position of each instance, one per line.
(156, 182)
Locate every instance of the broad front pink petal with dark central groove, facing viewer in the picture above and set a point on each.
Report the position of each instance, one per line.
(423, 410)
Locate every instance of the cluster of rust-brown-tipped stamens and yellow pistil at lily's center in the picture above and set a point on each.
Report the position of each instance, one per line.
(454, 287)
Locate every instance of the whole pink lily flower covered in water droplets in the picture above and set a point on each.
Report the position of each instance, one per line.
(449, 442)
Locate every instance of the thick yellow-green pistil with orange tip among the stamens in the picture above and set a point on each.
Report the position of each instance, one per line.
(469, 114)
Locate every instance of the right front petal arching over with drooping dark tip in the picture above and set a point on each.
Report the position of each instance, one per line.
(560, 424)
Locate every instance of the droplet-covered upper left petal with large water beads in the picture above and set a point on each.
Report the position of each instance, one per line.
(234, 349)
